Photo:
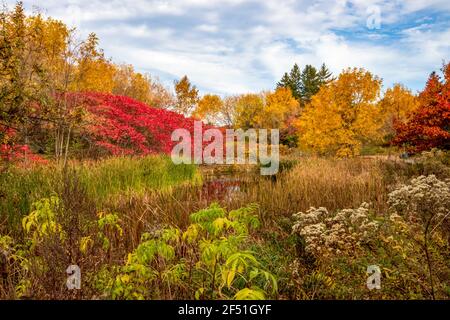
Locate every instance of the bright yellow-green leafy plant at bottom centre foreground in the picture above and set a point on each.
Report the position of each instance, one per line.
(208, 260)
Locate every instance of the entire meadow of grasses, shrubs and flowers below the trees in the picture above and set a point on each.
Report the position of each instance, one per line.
(143, 228)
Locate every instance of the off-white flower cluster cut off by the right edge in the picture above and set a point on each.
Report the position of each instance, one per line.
(424, 197)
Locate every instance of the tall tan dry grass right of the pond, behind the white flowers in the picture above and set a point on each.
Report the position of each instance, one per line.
(330, 183)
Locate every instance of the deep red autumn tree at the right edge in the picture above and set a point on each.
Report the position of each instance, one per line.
(429, 126)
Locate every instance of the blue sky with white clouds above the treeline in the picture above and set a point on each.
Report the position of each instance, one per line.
(238, 46)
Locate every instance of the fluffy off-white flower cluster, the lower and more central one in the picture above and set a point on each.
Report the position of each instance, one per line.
(326, 233)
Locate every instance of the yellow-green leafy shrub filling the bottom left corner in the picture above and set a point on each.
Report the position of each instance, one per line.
(57, 233)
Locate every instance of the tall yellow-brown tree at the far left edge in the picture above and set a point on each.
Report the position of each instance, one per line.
(24, 74)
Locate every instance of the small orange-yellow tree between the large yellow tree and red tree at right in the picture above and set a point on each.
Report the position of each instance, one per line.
(397, 105)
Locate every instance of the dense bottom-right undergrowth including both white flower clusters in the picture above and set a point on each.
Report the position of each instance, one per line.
(410, 244)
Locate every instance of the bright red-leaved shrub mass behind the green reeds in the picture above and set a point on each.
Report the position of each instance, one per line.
(123, 126)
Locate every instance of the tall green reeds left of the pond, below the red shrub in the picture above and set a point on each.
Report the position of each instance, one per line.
(101, 180)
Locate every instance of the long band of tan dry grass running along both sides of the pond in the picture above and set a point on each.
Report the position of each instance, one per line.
(332, 183)
